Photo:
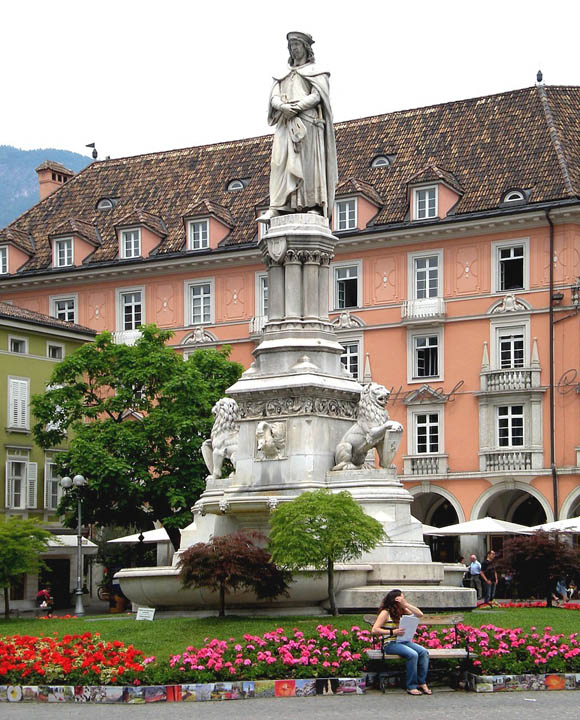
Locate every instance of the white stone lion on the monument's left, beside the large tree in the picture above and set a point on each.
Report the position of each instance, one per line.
(223, 443)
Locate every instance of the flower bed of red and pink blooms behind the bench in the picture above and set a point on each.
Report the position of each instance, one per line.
(329, 653)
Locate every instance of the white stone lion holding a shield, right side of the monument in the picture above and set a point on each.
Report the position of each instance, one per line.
(373, 429)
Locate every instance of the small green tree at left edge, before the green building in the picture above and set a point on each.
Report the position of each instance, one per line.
(21, 542)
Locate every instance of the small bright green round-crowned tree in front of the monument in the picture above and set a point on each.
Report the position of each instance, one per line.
(319, 529)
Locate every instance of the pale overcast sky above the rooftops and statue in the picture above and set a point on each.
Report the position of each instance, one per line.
(143, 76)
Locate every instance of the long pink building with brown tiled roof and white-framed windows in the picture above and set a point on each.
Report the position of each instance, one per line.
(455, 281)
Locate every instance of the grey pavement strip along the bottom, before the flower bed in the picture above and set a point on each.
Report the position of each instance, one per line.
(442, 705)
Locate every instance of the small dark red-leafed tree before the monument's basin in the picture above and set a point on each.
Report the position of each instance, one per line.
(229, 562)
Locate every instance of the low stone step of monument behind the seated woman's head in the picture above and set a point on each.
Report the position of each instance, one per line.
(435, 597)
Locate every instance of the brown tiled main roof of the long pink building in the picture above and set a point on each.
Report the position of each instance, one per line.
(526, 138)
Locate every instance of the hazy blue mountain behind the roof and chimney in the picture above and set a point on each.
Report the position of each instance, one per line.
(19, 182)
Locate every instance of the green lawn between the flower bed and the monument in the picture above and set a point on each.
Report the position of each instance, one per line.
(164, 637)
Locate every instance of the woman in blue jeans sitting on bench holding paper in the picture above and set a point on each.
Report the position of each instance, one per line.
(392, 608)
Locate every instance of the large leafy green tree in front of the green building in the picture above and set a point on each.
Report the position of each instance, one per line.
(138, 416)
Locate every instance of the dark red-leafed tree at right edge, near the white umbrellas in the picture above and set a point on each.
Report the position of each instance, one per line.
(536, 562)
